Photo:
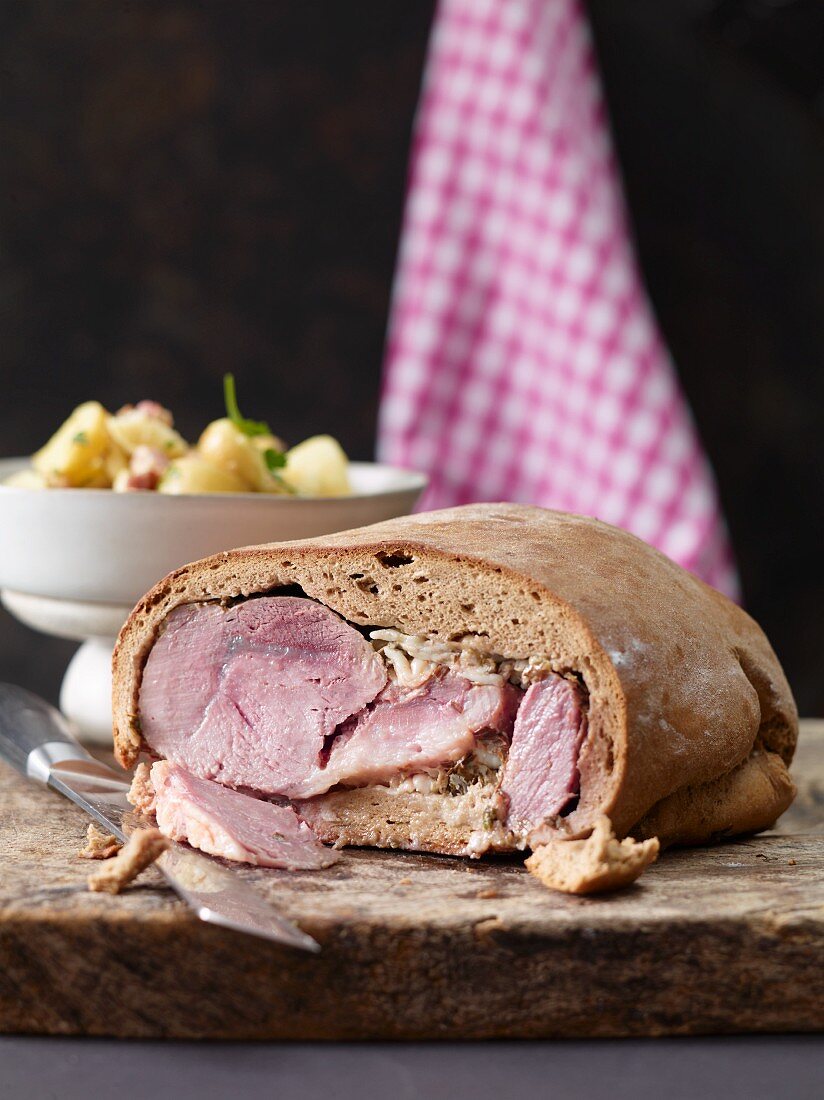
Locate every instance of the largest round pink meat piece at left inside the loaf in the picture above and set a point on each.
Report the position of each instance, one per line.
(248, 695)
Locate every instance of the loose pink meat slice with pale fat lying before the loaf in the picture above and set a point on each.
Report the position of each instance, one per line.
(234, 826)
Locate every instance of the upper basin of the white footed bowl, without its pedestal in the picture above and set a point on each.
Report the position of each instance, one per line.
(105, 547)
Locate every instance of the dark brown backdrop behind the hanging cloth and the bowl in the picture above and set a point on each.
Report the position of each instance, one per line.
(193, 186)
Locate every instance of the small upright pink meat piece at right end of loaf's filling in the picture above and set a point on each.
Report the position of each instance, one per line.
(541, 775)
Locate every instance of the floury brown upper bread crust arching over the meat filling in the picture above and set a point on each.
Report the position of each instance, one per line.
(683, 685)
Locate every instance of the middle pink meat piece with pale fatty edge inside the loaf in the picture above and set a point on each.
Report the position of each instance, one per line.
(409, 730)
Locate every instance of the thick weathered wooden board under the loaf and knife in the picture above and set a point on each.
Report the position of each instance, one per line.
(719, 940)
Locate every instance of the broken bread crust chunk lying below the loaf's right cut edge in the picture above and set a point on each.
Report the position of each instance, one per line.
(595, 865)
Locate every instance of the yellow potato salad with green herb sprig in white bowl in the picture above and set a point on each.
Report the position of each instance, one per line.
(139, 450)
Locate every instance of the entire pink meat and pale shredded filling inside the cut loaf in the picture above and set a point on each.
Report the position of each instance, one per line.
(281, 697)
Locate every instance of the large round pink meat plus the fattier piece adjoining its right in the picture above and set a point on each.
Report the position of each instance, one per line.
(281, 696)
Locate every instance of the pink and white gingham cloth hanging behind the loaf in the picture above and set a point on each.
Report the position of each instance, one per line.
(524, 362)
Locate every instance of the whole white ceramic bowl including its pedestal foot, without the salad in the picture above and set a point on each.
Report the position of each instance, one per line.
(74, 562)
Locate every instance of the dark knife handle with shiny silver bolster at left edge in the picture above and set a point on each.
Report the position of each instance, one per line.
(34, 735)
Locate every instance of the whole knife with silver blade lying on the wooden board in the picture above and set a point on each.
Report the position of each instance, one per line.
(38, 742)
